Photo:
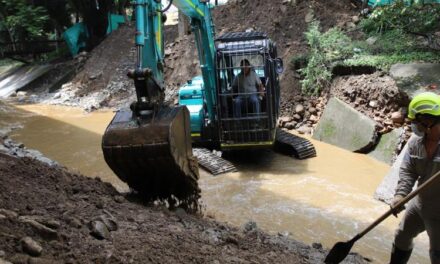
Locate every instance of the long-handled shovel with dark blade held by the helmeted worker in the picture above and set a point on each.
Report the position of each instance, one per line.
(341, 249)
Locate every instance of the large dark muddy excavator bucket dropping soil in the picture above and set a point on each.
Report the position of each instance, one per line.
(153, 154)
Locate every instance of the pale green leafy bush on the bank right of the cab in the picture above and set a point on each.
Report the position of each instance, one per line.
(325, 48)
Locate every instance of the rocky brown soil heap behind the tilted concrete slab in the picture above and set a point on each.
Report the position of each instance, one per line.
(375, 95)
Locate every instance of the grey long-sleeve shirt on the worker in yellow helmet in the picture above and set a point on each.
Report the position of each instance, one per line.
(417, 167)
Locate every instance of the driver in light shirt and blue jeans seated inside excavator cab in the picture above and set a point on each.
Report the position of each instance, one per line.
(245, 84)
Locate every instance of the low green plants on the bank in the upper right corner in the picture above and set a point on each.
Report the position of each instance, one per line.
(420, 18)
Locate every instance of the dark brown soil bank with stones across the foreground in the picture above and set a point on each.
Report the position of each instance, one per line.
(48, 215)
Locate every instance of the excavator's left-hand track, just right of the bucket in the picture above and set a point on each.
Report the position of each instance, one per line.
(213, 163)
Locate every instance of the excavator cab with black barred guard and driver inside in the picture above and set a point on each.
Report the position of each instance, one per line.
(248, 90)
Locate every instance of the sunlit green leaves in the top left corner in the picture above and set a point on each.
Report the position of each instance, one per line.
(21, 20)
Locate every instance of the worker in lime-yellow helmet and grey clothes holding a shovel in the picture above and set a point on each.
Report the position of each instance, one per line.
(420, 162)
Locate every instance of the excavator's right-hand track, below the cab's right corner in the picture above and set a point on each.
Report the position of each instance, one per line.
(293, 145)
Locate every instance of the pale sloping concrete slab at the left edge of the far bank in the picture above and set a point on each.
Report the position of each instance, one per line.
(23, 77)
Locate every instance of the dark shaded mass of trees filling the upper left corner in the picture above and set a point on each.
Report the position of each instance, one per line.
(22, 22)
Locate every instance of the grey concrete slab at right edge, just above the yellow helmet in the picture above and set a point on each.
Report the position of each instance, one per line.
(414, 78)
